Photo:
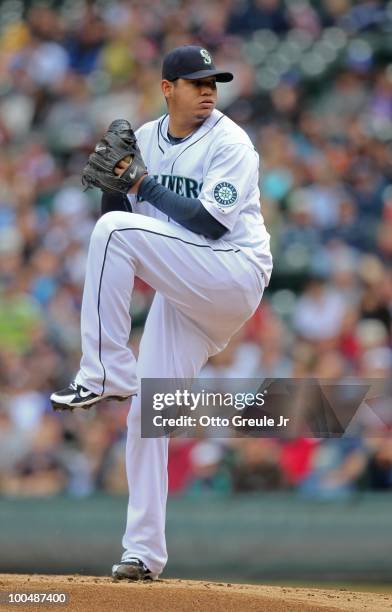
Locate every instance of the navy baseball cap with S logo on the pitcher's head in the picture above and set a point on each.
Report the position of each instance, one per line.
(191, 62)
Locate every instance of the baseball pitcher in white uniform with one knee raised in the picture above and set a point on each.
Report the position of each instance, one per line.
(182, 212)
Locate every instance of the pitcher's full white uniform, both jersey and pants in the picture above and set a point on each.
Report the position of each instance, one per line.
(205, 291)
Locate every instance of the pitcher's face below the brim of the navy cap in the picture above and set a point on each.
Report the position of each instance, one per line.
(193, 99)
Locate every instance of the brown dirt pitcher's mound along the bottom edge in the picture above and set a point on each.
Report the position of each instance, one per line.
(99, 594)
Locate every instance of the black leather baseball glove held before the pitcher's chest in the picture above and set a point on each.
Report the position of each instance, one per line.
(119, 143)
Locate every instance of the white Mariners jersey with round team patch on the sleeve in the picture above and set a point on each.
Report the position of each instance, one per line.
(219, 165)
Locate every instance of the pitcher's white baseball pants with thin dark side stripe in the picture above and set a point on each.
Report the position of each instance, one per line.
(205, 290)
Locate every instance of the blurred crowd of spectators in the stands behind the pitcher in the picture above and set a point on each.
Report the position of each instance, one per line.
(313, 89)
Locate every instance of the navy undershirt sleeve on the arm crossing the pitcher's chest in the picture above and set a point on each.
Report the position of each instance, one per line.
(188, 212)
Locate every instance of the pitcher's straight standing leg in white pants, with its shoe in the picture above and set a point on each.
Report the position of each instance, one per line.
(171, 347)
